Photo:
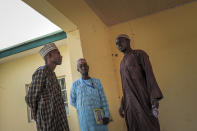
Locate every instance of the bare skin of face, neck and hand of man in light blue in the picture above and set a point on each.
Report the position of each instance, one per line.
(83, 68)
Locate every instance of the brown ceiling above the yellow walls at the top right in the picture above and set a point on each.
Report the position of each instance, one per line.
(113, 12)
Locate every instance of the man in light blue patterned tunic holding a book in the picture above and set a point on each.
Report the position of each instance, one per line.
(87, 95)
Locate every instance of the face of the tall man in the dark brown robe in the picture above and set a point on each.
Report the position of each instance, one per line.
(122, 44)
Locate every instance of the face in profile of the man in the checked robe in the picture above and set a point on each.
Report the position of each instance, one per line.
(56, 57)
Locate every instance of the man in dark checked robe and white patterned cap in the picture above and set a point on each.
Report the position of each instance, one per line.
(44, 94)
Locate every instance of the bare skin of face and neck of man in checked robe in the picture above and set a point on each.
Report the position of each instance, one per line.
(53, 58)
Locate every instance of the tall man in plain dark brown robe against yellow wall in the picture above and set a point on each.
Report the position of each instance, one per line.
(141, 93)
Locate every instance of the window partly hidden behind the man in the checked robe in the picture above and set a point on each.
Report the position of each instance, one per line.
(61, 81)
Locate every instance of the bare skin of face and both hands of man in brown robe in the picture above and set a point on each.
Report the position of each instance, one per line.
(123, 45)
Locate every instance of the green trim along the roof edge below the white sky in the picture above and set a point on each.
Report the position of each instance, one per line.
(33, 43)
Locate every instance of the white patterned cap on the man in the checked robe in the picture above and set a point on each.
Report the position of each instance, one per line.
(47, 48)
